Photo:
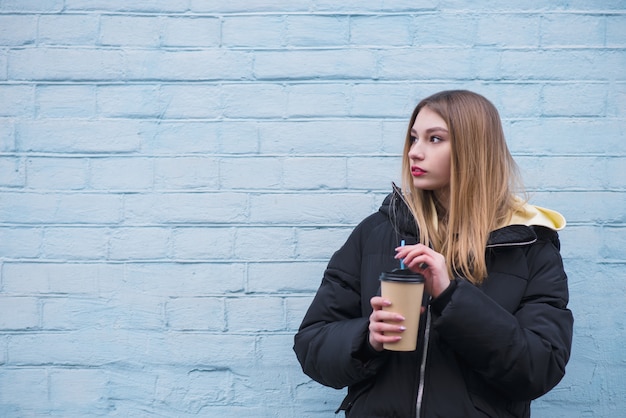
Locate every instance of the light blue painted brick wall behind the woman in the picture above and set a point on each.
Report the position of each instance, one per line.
(175, 174)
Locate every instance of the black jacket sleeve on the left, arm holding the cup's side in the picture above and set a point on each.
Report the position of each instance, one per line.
(332, 335)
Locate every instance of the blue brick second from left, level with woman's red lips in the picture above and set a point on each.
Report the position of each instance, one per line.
(57, 173)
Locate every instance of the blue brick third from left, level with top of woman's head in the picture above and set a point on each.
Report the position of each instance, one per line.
(129, 101)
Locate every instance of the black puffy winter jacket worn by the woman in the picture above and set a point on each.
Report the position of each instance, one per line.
(483, 351)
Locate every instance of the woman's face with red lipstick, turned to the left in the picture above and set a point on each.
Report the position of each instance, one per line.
(429, 154)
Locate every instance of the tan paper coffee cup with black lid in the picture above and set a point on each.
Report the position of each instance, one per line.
(404, 289)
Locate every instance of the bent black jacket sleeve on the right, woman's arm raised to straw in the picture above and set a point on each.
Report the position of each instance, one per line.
(521, 354)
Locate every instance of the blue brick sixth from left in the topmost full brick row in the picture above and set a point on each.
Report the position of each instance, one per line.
(316, 30)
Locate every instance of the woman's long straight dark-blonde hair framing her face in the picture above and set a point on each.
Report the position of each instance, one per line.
(483, 181)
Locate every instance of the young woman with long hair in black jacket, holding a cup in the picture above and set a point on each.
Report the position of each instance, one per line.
(495, 331)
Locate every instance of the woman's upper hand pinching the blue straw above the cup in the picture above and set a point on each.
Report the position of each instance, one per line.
(427, 262)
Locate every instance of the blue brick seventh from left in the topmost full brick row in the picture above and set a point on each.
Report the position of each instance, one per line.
(387, 31)
